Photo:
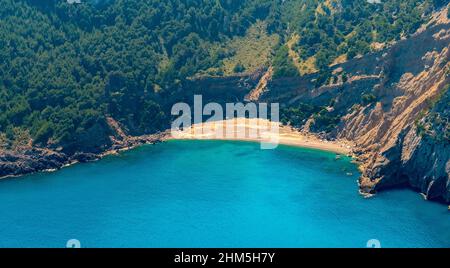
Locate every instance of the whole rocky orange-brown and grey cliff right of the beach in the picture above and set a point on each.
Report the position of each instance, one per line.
(406, 83)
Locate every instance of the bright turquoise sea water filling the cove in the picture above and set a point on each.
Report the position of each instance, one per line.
(213, 194)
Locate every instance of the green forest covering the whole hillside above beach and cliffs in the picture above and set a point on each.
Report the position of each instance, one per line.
(66, 67)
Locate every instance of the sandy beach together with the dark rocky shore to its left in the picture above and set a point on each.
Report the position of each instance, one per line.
(46, 160)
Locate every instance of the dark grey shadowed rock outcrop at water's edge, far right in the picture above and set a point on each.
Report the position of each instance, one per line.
(417, 161)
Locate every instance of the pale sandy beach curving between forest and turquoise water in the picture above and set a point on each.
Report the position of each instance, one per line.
(259, 130)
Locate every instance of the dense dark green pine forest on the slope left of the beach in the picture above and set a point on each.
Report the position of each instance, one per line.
(65, 67)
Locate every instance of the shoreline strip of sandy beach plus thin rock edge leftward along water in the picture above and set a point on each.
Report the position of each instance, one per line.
(285, 136)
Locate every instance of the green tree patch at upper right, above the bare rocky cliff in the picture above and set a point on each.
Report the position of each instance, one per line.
(334, 30)
